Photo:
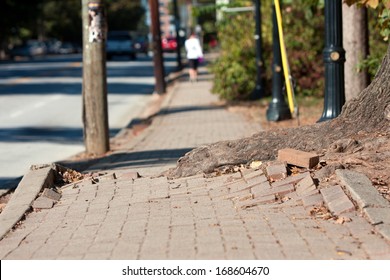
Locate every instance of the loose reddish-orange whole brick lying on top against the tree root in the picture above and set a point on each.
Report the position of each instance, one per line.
(298, 158)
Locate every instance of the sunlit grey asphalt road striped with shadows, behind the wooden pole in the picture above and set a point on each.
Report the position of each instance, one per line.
(40, 107)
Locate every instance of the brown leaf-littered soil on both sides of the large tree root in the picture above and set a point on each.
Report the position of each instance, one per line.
(365, 153)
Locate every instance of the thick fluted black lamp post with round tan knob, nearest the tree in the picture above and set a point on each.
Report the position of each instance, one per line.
(334, 58)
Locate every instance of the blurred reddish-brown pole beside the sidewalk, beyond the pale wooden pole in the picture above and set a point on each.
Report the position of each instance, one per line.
(158, 60)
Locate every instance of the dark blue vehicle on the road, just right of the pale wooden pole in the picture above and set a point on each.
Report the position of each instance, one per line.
(120, 43)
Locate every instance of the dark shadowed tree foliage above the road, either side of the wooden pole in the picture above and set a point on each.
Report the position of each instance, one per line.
(42, 19)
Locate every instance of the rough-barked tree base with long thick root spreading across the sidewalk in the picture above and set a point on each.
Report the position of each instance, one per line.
(369, 112)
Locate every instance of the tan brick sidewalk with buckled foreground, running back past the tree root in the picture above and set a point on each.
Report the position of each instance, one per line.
(116, 215)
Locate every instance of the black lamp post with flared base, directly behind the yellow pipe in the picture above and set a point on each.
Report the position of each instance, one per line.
(277, 109)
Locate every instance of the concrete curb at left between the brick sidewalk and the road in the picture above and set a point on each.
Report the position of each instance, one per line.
(38, 178)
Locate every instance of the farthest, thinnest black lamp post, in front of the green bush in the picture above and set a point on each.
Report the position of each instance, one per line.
(258, 92)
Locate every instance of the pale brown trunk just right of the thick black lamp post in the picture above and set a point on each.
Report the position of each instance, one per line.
(355, 42)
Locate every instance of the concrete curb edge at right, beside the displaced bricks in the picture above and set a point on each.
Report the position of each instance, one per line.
(373, 206)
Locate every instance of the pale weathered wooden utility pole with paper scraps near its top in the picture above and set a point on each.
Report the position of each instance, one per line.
(95, 112)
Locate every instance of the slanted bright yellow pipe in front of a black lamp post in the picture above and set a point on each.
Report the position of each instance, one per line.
(286, 69)
